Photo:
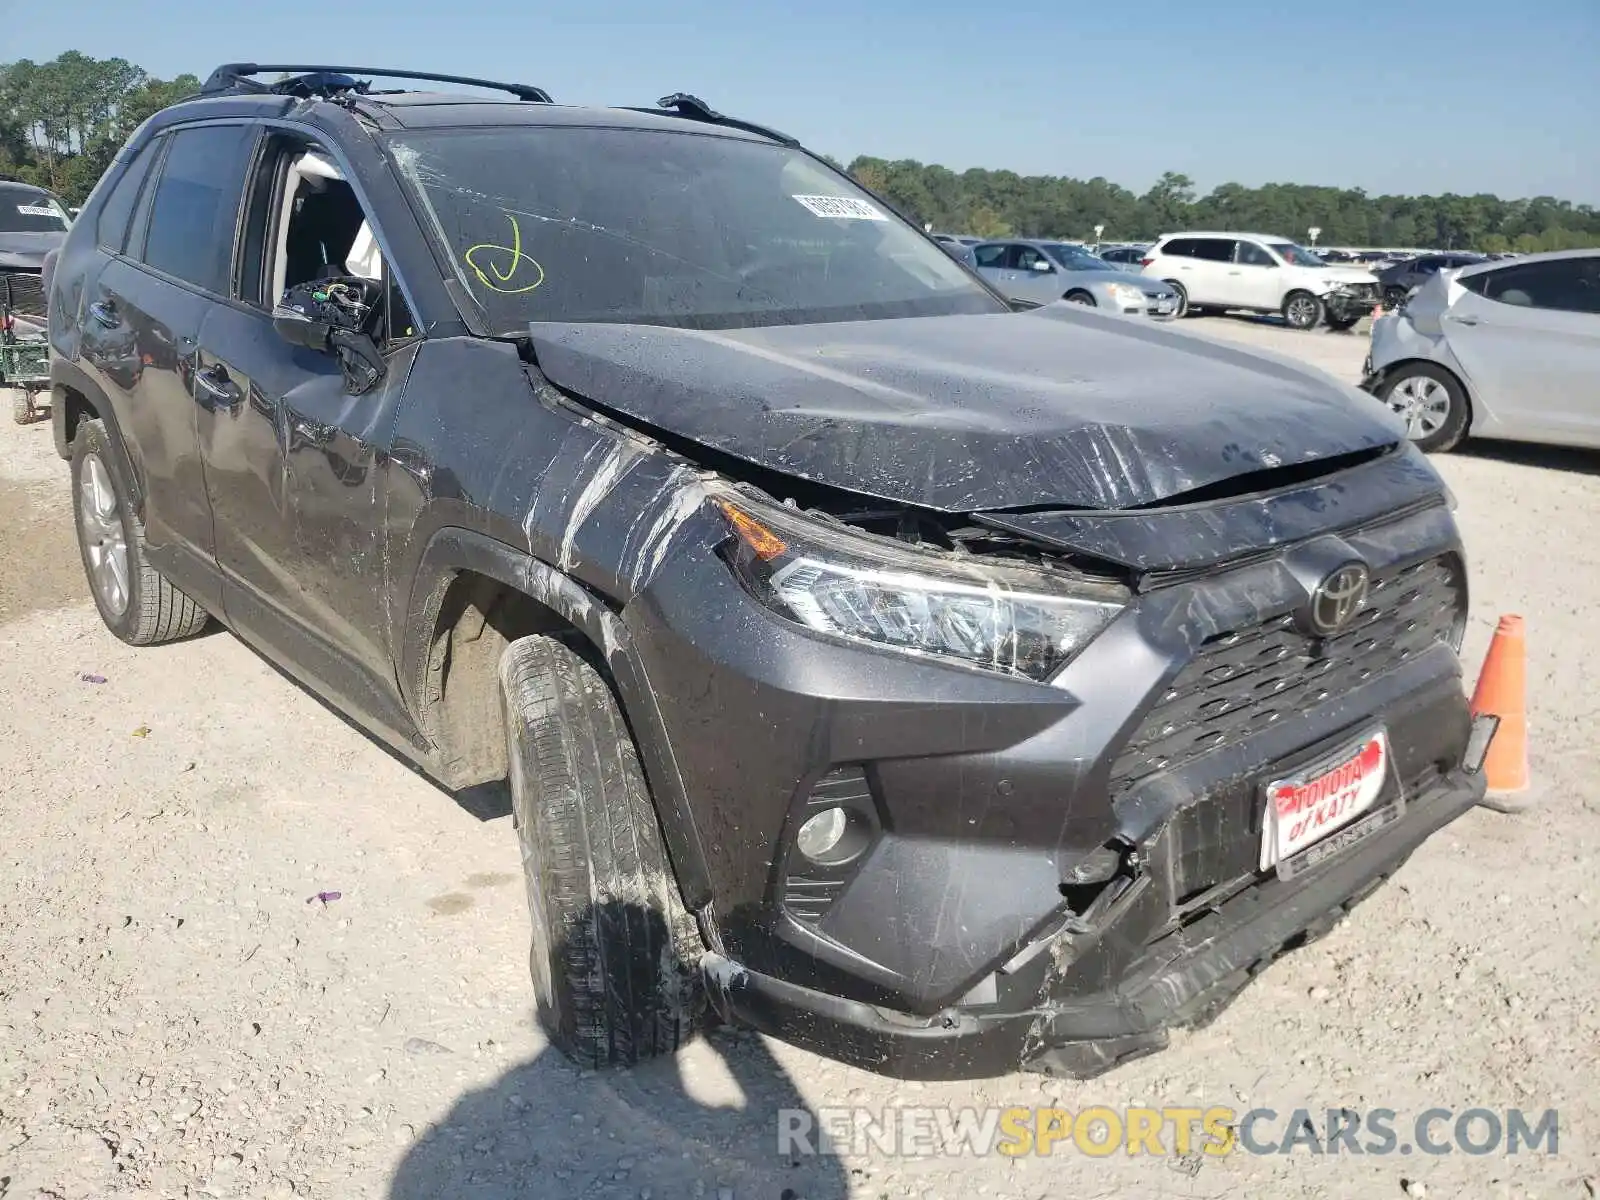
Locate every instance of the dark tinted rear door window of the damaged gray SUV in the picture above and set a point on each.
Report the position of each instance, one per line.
(196, 209)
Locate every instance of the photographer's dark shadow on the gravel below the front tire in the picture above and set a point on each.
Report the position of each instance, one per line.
(705, 1122)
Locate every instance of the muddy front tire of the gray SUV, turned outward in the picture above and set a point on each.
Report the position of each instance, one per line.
(615, 954)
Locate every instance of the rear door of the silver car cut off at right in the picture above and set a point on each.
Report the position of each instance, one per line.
(1529, 340)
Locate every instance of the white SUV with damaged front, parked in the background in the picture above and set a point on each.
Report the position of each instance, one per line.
(1263, 274)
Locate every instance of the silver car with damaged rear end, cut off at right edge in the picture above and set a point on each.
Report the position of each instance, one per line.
(1500, 351)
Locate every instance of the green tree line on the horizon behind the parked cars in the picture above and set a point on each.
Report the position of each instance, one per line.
(63, 121)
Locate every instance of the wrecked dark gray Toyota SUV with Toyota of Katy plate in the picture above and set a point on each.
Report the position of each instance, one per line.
(943, 687)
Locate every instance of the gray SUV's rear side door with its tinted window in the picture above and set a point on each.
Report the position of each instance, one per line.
(142, 324)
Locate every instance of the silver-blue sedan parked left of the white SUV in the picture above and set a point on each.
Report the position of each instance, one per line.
(1052, 271)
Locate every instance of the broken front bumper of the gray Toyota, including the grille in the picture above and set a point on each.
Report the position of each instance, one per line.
(1006, 814)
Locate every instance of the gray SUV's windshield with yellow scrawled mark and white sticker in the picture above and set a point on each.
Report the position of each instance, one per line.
(665, 228)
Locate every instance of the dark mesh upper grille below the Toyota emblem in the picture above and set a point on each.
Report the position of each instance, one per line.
(1244, 682)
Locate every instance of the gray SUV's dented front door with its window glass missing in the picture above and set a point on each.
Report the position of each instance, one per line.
(294, 460)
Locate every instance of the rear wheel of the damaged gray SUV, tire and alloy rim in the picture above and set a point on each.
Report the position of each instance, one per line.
(137, 604)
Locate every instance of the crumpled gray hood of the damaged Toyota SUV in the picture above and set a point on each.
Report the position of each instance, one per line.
(1052, 407)
